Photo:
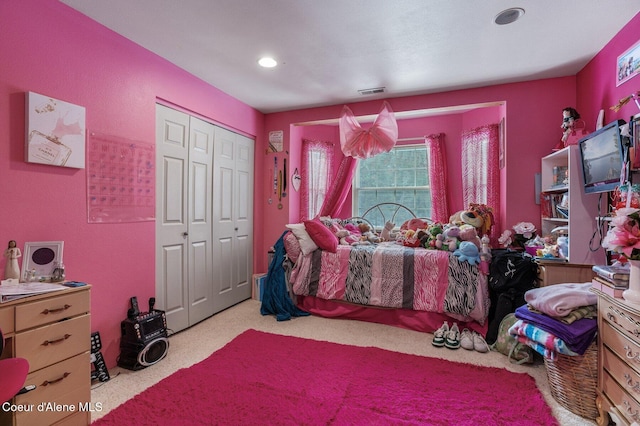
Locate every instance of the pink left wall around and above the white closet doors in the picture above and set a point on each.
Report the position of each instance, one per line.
(51, 49)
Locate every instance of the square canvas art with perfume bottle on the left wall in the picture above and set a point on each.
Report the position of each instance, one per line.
(55, 132)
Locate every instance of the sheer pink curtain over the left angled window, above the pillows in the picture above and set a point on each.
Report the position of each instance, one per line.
(317, 163)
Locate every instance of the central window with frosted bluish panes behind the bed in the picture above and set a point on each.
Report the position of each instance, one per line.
(398, 176)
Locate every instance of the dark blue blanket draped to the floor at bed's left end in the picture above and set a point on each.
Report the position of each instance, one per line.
(276, 300)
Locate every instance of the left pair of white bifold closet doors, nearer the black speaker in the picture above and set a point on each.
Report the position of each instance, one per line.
(184, 154)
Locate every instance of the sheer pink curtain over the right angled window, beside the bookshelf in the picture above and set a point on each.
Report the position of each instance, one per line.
(481, 171)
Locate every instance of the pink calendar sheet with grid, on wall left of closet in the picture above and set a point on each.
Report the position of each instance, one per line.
(120, 180)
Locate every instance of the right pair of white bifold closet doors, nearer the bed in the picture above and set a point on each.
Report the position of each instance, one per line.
(232, 217)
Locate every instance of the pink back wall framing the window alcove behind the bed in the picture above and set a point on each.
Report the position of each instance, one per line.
(532, 111)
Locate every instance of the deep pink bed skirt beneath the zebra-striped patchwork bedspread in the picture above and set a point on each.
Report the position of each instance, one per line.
(423, 321)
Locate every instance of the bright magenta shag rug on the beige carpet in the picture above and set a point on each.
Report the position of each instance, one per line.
(262, 378)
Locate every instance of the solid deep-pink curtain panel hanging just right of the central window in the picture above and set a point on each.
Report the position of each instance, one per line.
(437, 177)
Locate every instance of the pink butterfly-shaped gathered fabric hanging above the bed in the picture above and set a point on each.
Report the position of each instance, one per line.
(360, 143)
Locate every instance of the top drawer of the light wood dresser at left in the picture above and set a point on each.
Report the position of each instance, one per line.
(51, 310)
